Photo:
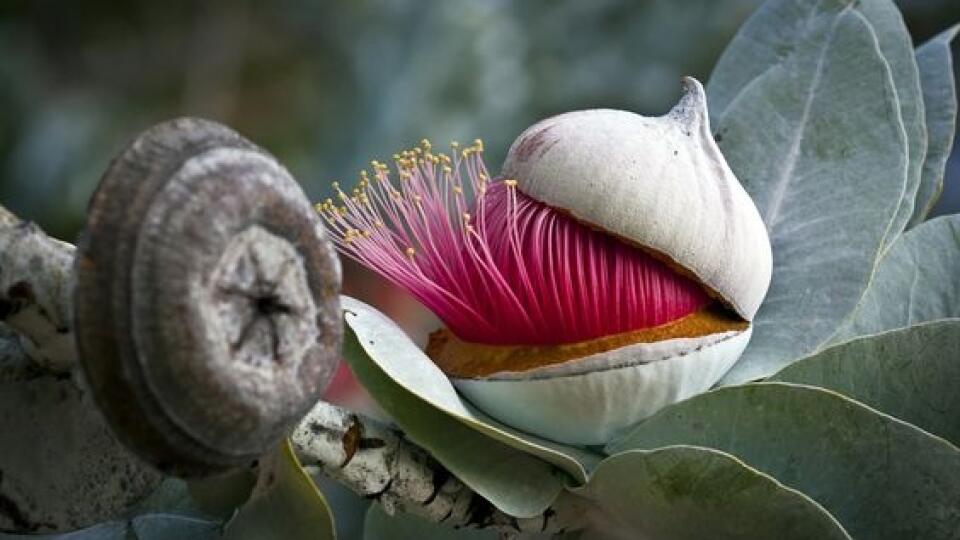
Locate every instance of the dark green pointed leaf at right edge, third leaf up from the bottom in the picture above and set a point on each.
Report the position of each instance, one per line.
(910, 373)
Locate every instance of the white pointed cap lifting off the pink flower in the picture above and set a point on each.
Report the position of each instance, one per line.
(659, 182)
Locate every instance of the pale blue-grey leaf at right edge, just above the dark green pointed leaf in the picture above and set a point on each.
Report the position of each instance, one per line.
(916, 281)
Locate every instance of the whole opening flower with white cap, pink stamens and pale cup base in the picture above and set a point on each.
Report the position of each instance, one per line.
(613, 268)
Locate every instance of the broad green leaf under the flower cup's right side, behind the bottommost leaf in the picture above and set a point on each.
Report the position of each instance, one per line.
(881, 477)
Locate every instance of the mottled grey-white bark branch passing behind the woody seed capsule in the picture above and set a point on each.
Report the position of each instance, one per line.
(369, 458)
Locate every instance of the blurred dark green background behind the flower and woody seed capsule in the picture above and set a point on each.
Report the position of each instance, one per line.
(327, 86)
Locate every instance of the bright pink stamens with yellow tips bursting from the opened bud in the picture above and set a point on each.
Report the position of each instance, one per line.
(507, 269)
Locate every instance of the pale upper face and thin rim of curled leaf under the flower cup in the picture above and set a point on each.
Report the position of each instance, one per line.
(387, 346)
